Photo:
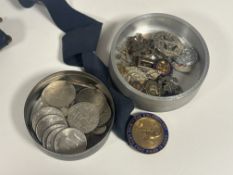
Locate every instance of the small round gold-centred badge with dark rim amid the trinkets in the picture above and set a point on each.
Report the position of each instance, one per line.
(163, 67)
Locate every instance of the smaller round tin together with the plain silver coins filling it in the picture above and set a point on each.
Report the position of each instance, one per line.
(69, 114)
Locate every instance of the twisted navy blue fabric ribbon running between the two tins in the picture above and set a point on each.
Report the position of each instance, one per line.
(79, 45)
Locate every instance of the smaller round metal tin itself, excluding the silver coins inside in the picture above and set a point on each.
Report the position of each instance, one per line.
(79, 77)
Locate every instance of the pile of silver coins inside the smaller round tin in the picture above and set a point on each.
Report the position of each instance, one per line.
(66, 114)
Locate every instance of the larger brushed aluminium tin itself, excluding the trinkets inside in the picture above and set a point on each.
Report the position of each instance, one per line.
(189, 36)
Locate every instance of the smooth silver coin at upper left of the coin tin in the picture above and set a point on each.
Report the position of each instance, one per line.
(59, 94)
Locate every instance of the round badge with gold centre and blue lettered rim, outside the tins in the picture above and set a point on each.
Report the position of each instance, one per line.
(147, 133)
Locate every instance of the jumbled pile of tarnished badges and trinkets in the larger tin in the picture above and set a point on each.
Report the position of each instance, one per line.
(148, 62)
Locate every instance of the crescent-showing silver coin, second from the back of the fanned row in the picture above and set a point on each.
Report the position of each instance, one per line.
(46, 122)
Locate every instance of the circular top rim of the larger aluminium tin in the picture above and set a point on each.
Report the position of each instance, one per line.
(149, 97)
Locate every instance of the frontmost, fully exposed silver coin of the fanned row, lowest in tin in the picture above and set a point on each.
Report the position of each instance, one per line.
(70, 141)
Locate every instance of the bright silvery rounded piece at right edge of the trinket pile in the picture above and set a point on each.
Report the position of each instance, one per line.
(185, 61)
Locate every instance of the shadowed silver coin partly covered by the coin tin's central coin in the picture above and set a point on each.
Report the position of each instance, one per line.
(93, 96)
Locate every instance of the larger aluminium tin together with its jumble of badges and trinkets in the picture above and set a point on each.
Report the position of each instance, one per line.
(159, 61)
